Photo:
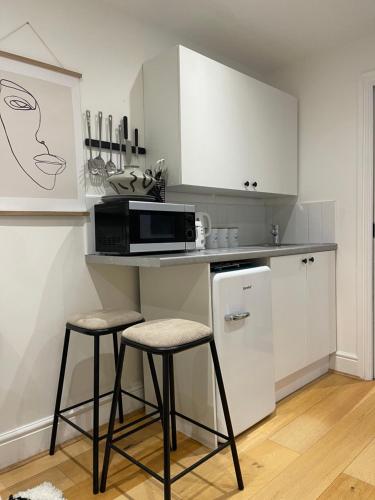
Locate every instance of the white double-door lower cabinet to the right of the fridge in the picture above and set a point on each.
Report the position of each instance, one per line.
(303, 310)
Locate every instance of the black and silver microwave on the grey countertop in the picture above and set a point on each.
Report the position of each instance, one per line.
(126, 227)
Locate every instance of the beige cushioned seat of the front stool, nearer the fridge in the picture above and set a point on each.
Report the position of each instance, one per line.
(167, 332)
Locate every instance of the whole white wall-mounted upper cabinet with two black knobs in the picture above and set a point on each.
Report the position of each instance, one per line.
(217, 128)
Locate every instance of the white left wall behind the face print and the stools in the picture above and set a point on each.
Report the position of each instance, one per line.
(44, 277)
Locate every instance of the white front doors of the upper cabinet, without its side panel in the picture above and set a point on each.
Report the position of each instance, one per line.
(236, 132)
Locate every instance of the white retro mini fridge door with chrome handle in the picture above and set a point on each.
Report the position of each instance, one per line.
(243, 334)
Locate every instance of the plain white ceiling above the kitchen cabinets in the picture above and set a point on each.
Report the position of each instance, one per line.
(258, 34)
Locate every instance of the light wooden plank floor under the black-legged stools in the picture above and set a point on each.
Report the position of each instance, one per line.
(320, 443)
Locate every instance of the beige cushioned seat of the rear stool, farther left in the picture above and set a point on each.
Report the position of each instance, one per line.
(105, 318)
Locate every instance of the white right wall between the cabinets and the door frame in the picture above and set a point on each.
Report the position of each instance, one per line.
(327, 87)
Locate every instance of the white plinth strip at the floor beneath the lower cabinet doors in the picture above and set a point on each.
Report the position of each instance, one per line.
(293, 382)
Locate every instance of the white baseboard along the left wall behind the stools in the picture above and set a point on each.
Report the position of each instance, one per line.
(24, 442)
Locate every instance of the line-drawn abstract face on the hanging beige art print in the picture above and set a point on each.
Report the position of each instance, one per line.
(21, 118)
